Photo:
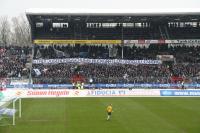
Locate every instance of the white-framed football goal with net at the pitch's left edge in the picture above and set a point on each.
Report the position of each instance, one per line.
(8, 109)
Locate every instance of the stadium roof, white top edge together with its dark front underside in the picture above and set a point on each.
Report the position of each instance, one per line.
(112, 15)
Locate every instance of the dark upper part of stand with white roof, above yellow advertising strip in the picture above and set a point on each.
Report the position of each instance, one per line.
(114, 24)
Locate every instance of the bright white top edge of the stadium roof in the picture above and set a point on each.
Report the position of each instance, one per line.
(113, 12)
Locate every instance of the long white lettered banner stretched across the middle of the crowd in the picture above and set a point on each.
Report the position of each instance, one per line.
(96, 61)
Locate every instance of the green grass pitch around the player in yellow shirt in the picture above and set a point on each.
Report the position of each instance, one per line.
(88, 115)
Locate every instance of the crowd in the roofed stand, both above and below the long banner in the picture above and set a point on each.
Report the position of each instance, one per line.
(184, 65)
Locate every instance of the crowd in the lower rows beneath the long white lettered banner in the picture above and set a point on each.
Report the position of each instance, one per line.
(62, 73)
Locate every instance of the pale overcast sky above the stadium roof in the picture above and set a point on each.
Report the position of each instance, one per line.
(16, 7)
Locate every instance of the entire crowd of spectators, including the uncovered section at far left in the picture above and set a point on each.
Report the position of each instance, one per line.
(13, 63)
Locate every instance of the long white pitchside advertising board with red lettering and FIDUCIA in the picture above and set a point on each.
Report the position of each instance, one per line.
(45, 93)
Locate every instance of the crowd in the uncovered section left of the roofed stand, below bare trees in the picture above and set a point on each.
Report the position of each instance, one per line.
(13, 61)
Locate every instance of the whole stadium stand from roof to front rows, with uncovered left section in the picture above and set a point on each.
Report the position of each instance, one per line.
(172, 38)
